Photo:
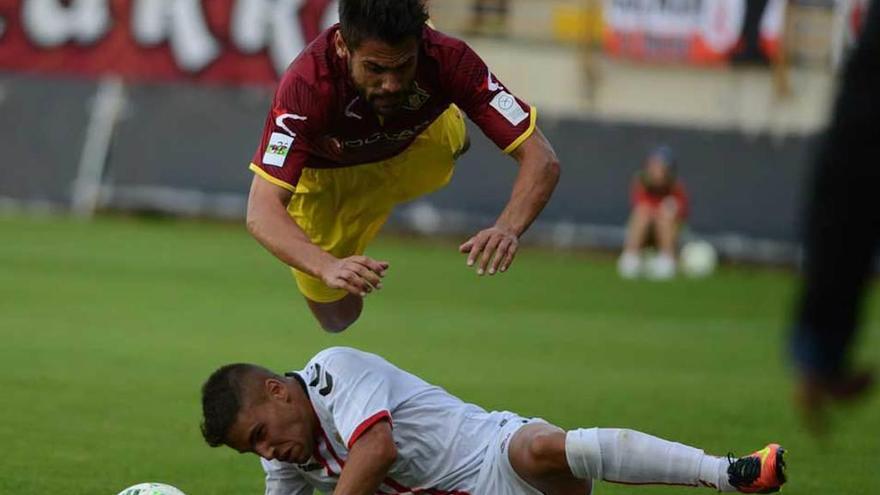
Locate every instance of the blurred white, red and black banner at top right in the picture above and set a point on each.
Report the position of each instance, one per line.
(694, 31)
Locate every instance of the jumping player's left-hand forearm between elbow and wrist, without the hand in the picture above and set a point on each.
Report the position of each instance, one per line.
(280, 235)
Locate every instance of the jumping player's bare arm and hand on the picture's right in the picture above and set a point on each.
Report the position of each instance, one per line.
(493, 249)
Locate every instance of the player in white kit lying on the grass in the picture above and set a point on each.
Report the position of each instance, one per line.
(352, 423)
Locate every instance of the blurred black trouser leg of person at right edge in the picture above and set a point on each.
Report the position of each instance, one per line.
(843, 216)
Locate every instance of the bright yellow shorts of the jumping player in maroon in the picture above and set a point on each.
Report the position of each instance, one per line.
(342, 209)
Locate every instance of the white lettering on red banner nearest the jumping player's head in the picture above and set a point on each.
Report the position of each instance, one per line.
(260, 24)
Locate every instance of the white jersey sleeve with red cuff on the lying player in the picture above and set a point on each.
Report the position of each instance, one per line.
(357, 389)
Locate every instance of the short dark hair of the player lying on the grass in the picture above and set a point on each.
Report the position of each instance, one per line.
(224, 394)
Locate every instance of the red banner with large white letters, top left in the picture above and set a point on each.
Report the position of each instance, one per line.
(220, 41)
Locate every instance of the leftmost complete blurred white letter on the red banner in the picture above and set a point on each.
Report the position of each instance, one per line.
(49, 23)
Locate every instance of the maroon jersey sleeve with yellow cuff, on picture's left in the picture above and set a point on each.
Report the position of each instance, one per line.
(288, 134)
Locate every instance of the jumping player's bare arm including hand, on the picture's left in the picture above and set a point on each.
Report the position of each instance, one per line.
(269, 222)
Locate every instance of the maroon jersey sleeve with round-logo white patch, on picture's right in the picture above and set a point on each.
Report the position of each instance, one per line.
(503, 118)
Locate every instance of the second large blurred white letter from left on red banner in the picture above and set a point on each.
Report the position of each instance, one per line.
(182, 24)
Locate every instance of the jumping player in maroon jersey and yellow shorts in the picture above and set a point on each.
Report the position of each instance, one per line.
(369, 116)
